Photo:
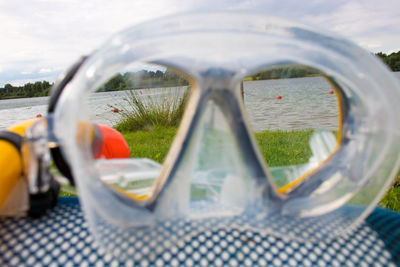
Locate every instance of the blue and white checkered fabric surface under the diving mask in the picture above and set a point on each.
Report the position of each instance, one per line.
(62, 238)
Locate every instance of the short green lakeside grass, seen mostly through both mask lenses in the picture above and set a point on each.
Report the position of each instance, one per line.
(279, 148)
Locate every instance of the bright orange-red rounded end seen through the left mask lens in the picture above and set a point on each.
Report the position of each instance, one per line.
(109, 143)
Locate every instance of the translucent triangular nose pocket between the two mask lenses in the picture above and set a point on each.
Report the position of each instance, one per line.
(217, 172)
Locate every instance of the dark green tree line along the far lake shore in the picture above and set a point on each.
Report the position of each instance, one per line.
(169, 78)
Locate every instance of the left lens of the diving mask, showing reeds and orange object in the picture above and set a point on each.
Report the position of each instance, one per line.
(134, 117)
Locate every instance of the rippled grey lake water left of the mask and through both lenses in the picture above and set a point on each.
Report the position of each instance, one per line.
(305, 104)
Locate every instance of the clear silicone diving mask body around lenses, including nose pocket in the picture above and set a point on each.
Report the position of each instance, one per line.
(214, 176)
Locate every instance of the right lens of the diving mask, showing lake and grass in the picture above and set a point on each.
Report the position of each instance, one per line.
(294, 113)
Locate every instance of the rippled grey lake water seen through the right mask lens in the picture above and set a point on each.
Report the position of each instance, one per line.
(305, 104)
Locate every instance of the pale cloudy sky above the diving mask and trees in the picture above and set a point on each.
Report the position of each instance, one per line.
(41, 38)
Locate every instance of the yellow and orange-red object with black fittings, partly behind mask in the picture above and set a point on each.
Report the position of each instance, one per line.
(20, 189)
